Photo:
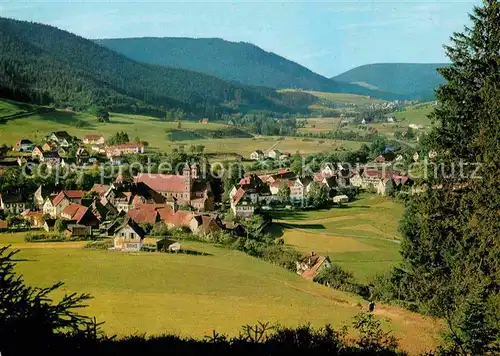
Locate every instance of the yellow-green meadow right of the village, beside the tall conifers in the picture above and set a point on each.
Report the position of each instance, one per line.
(362, 237)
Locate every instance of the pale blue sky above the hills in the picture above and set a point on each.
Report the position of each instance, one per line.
(328, 37)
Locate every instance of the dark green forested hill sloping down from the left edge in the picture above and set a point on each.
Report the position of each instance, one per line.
(43, 65)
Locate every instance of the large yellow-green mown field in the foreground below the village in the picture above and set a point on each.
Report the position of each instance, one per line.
(191, 295)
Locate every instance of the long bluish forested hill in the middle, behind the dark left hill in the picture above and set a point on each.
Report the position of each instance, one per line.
(235, 61)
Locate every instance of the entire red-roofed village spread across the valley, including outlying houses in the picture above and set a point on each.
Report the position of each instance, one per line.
(127, 210)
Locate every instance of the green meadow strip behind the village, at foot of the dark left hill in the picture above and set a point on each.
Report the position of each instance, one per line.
(158, 133)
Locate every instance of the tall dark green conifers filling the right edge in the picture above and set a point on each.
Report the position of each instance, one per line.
(451, 232)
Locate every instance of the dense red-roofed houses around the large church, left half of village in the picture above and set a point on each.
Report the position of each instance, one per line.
(123, 209)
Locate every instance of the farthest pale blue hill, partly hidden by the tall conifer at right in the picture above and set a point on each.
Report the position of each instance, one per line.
(416, 81)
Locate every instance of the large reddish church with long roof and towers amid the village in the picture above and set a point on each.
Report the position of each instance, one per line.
(188, 189)
